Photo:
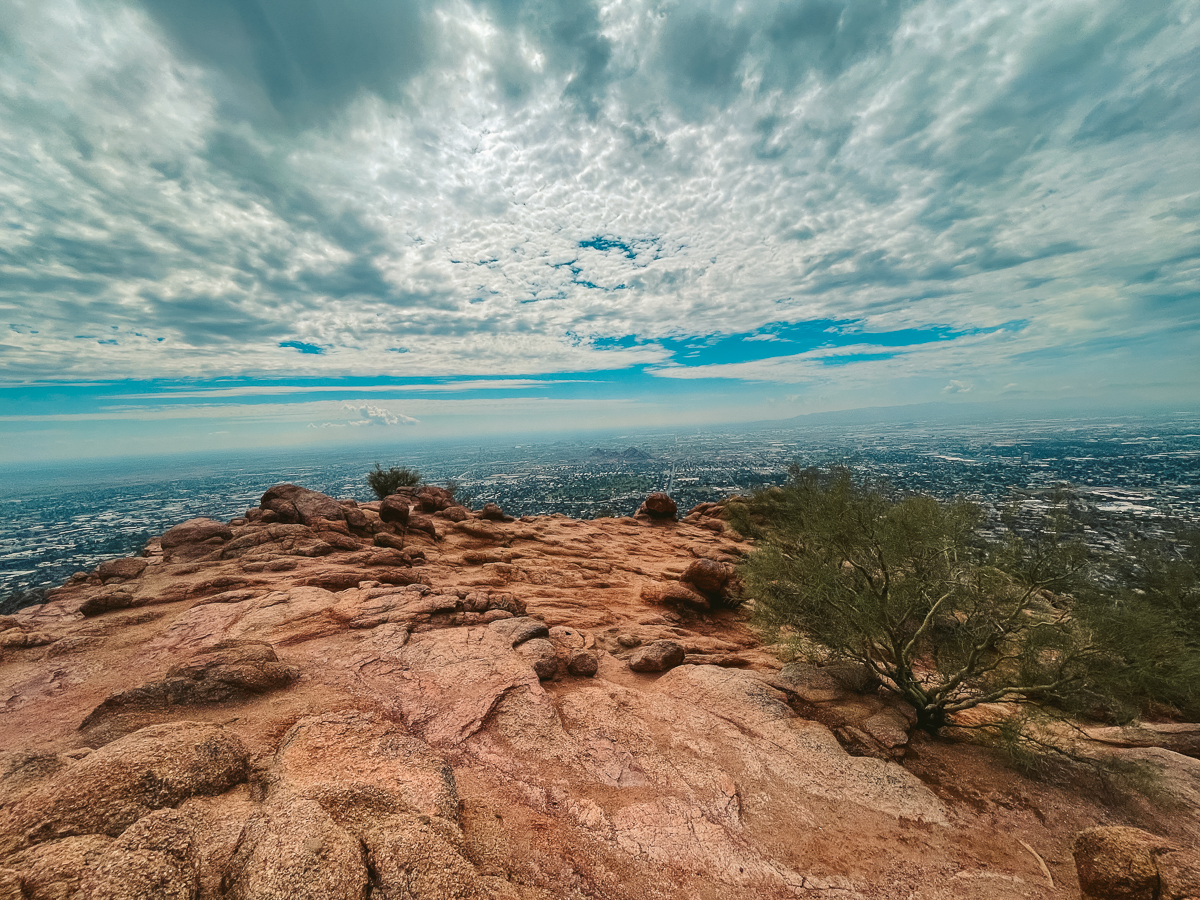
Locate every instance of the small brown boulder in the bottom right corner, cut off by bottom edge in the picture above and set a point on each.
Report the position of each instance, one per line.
(1118, 863)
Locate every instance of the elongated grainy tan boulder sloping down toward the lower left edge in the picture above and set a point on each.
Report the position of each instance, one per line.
(115, 787)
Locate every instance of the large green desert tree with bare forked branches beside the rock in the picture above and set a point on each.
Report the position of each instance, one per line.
(907, 586)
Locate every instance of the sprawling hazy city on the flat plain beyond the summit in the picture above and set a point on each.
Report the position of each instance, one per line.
(1131, 477)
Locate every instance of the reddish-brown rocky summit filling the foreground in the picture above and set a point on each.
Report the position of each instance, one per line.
(412, 700)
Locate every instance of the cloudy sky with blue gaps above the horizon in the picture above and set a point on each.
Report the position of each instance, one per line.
(250, 224)
